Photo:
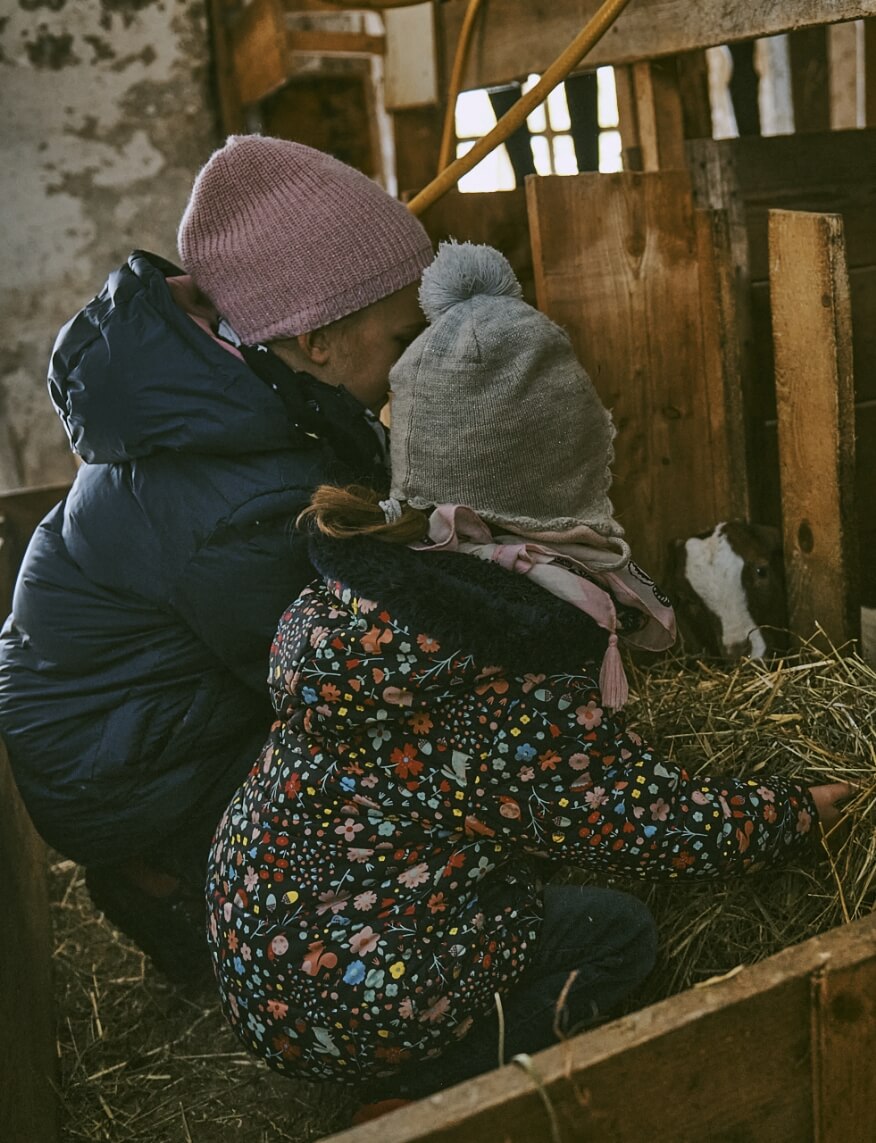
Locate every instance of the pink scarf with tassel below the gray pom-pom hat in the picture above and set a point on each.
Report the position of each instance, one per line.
(587, 585)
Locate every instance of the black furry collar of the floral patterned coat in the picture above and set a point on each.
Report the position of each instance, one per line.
(499, 617)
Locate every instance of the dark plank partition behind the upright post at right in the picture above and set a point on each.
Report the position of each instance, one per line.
(832, 172)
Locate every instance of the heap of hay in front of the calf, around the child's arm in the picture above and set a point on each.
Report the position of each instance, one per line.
(810, 717)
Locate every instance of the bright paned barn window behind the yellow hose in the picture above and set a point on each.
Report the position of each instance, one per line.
(575, 130)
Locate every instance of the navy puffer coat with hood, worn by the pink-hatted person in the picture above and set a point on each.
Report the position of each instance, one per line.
(133, 668)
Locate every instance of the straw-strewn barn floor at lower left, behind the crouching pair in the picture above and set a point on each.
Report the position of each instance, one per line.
(142, 1064)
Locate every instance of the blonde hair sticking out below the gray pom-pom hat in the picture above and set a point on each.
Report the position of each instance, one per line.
(356, 511)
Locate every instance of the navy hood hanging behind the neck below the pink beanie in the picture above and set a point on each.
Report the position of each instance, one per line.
(132, 375)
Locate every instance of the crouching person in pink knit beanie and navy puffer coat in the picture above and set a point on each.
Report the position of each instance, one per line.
(206, 402)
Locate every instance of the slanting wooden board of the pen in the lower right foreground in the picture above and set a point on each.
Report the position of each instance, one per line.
(742, 1060)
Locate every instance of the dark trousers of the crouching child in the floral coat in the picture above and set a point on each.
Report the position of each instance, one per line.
(596, 946)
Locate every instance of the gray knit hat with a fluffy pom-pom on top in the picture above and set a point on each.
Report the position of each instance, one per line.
(492, 410)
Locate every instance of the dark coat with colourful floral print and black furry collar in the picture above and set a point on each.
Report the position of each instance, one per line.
(373, 884)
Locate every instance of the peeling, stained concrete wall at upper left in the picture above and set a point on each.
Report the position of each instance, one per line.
(107, 117)
